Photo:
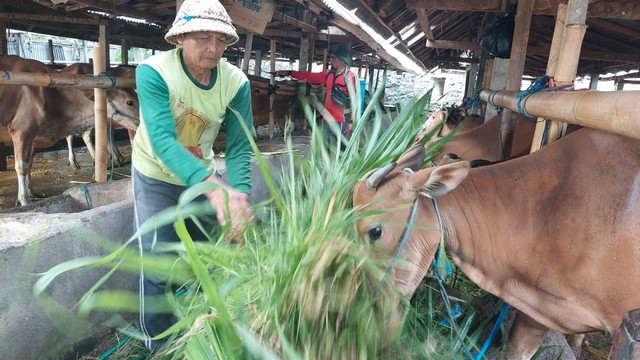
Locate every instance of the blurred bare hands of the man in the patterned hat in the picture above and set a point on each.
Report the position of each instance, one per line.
(232, 207)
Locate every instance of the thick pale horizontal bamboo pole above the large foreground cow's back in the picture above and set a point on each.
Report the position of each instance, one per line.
(612, 111)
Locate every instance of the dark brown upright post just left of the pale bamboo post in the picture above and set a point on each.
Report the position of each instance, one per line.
(514, 74)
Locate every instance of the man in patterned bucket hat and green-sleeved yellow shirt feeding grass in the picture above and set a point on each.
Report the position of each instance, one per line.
(186, 94)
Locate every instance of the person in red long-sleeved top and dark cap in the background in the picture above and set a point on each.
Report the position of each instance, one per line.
(336, 102)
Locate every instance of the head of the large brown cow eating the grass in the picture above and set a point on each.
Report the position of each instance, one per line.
(388, 195)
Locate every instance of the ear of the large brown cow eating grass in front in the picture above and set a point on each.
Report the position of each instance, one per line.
(440, 180)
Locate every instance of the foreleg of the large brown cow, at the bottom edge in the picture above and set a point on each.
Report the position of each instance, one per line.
(525, 338)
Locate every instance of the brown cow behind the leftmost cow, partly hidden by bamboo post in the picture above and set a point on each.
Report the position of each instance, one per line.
(119, 71)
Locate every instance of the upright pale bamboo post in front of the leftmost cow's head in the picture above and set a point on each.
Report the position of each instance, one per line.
(100, 111)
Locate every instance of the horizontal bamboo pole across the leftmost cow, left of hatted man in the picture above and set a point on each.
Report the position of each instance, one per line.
(65, 80)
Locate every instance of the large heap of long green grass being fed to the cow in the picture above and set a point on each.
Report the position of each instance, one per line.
(303, 286)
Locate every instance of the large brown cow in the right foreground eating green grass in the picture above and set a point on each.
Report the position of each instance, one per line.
(553, 233)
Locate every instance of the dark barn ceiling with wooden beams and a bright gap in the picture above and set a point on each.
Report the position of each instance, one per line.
(409, 35)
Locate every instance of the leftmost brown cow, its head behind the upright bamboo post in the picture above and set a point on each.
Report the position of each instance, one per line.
(40, 116)
